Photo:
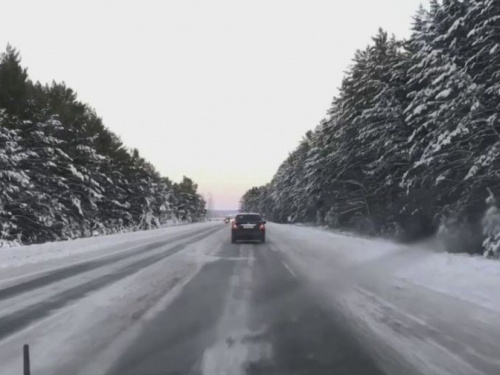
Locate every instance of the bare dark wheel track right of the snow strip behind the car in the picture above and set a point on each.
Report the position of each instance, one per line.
(305, 337)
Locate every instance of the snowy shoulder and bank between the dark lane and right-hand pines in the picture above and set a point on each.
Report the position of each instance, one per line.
(434, 311)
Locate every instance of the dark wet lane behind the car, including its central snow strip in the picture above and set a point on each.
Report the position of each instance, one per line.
(246, 313)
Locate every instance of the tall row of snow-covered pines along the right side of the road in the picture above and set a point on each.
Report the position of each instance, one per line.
(411, 144)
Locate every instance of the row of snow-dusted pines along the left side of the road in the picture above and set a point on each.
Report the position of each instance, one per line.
(63, 174)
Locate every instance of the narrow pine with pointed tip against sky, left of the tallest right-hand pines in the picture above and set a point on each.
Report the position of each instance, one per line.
(382, 129)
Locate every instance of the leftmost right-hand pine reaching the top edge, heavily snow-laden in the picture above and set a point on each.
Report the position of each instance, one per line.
(442, 97)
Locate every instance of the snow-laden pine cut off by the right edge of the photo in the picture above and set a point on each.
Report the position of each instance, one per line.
(483, 66)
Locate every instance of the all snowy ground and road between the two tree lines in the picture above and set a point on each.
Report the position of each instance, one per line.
(184, 300)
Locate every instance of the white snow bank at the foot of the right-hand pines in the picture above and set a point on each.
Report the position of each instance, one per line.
(468, 277)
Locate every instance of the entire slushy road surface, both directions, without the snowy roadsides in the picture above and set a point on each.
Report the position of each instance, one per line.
(243, 312)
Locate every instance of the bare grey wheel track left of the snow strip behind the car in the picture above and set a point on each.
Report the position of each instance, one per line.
(175, 340)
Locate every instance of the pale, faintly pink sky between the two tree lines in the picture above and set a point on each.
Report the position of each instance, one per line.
(217, 90)
